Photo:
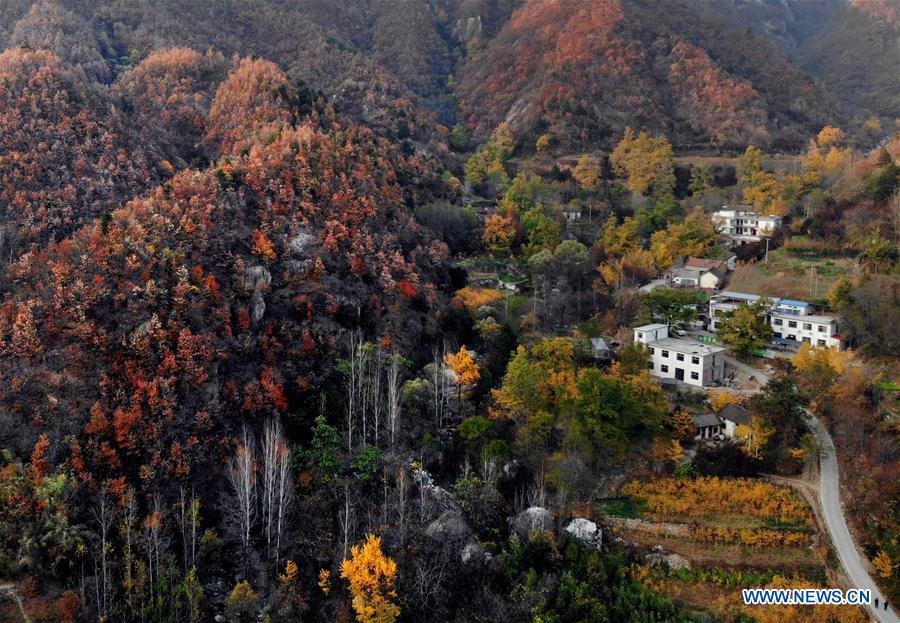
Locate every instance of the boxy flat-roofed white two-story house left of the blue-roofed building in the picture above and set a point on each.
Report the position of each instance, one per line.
(685, 360)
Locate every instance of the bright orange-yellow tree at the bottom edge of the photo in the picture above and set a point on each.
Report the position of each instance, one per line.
(371, 575)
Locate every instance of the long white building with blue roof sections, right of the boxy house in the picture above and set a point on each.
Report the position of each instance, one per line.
(792, 321)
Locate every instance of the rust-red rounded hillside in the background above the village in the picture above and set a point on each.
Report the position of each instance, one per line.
(583, 71)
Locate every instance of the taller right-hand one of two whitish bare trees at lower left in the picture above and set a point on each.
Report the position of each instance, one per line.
(277, 491)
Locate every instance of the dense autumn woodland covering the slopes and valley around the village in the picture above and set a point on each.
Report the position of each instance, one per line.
(250, 367)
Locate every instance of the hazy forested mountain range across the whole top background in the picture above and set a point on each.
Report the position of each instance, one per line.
(709, 74)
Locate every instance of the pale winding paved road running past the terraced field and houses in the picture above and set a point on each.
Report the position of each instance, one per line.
(830, 500)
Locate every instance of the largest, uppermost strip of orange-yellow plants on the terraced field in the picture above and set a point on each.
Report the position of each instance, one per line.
(719, 496)
